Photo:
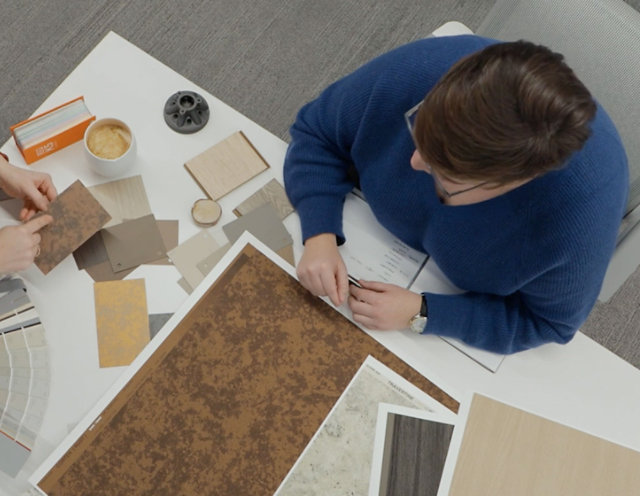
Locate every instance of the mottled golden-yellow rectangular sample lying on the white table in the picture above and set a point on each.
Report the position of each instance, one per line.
(122, 321)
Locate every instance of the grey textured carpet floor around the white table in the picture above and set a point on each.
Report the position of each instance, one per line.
(266, 58)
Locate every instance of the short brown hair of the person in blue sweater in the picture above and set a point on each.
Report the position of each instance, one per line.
(509, 112)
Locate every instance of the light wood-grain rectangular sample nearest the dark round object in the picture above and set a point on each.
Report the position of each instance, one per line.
(226, 165)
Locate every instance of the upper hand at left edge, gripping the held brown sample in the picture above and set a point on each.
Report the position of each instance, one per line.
(35, 188)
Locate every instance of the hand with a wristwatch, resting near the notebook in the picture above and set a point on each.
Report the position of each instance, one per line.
(380, 306)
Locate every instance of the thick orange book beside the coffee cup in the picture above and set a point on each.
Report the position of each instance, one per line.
(51, 131)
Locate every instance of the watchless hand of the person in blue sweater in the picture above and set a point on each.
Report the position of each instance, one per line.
(321, 269)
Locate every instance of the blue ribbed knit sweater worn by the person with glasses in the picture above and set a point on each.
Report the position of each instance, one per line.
(531, 261)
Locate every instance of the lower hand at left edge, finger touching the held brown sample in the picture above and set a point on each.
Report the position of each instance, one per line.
(19, 245)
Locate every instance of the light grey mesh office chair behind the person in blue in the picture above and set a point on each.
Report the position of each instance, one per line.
(600, 40)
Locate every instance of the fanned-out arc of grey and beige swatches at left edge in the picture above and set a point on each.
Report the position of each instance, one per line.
(24, 375)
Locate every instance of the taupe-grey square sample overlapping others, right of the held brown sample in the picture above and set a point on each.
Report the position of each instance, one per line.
(133, 243)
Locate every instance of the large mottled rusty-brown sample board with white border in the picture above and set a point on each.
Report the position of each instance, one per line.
(230, 398)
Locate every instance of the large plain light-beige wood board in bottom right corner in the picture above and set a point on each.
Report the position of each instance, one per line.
(506, 450)
